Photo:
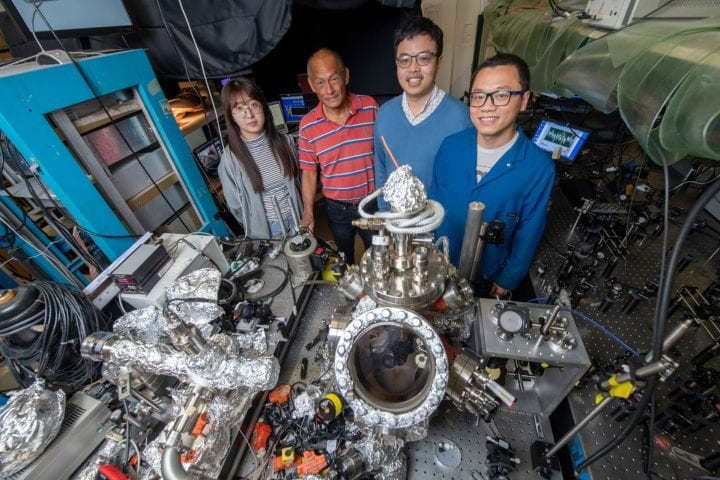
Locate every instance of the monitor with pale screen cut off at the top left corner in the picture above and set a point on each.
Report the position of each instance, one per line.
(70, 18)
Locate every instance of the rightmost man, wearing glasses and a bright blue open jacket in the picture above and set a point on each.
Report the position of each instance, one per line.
(495, 163)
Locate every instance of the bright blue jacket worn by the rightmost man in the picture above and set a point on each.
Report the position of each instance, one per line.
(515, 191)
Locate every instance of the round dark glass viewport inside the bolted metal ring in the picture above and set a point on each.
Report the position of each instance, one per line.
(392, 368)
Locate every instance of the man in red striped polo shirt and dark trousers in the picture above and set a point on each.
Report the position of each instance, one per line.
(337, 137)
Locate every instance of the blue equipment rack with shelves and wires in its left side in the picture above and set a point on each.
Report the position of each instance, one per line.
(103, 154)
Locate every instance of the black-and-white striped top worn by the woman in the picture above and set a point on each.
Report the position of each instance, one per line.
(274, 185)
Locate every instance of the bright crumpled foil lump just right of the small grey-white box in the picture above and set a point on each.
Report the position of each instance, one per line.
(203, 283)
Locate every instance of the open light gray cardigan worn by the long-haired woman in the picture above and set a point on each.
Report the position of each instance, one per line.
(244, 202)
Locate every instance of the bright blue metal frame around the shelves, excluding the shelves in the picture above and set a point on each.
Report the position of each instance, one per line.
(28, 96)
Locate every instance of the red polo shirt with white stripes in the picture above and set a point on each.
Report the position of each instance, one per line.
(344, 153)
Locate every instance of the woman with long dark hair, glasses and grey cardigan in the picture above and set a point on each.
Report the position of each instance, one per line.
(258, 169)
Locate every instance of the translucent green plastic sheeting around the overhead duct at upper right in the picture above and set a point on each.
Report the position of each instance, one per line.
(664, 76)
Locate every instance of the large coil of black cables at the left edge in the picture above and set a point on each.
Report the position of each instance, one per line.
(43, 336)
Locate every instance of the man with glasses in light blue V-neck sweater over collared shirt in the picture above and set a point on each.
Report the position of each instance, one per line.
(416, 122)
